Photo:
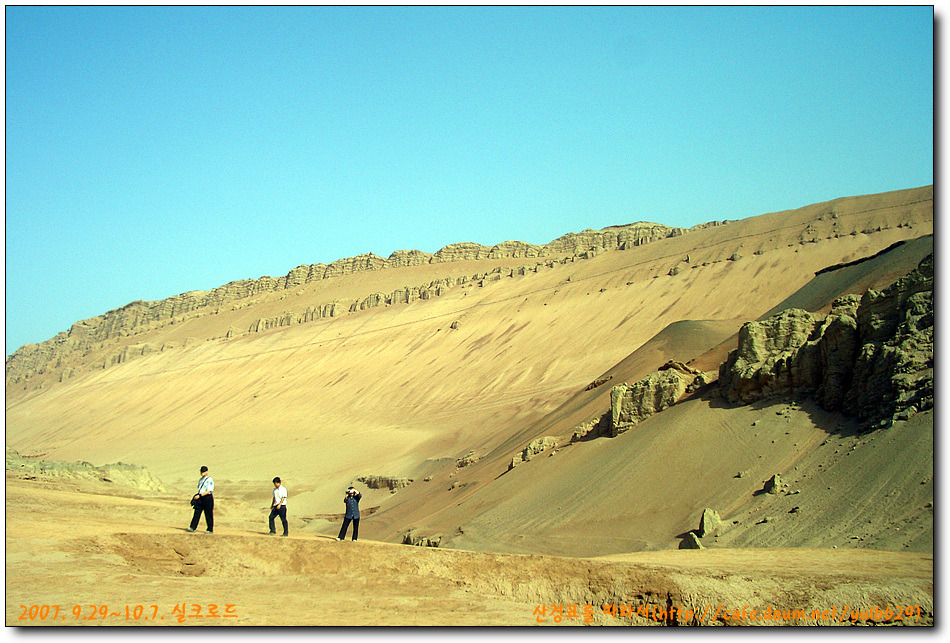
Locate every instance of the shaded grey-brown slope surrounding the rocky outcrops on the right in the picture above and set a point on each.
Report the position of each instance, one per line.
(570, 490)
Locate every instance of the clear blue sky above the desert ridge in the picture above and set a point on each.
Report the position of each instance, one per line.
(153, 151)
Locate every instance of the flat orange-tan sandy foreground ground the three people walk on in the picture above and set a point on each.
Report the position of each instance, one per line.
(75, 544)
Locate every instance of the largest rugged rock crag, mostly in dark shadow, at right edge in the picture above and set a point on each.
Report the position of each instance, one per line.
(870, 357)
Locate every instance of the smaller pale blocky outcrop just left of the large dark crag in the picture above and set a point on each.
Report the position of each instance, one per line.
(630, 404)
